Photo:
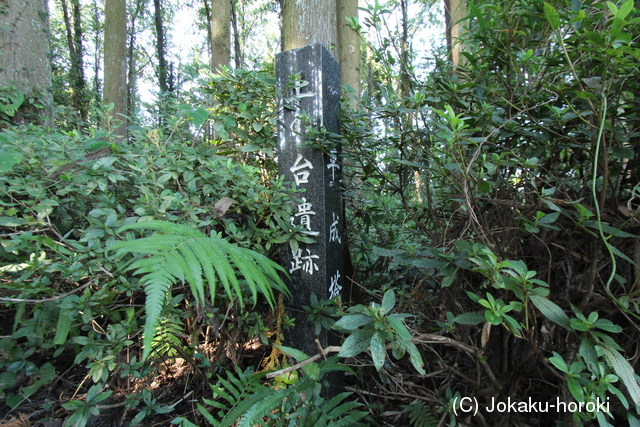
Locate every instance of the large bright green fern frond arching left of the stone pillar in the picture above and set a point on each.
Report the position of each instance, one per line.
(179, 253)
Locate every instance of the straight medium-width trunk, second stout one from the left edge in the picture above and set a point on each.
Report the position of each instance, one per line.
(115, 65)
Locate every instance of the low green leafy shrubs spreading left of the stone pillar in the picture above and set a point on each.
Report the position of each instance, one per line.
(66, 295)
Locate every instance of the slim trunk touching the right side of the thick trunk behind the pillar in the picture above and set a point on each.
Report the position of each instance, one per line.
(348, 45)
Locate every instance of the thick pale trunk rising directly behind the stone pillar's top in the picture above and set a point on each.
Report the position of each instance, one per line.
(307, 22)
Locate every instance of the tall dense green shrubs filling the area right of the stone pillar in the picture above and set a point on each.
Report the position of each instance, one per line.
(499, 197)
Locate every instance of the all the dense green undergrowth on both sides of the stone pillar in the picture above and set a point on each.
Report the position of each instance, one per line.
(492, 225)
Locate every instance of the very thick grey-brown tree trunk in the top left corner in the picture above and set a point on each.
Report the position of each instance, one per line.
(26, 62)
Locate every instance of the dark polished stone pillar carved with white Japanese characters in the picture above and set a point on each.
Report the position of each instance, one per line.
(314, 94)
